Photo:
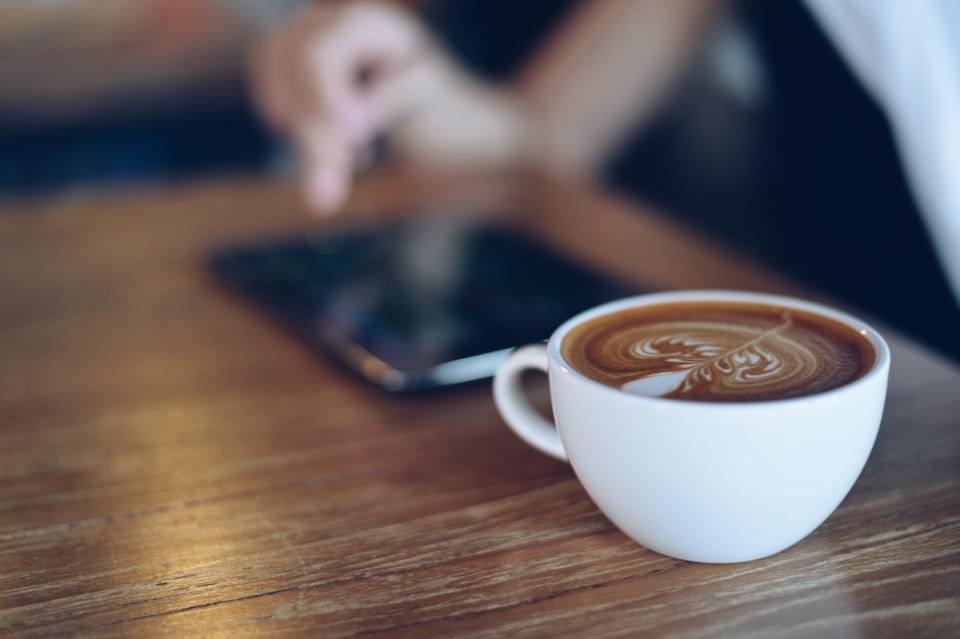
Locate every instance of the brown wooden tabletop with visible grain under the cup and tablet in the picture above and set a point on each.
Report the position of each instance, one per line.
(173, 465)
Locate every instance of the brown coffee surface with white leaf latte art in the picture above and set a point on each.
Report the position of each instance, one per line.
(718, 351)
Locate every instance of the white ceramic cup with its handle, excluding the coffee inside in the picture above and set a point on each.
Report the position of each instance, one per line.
(702, 481)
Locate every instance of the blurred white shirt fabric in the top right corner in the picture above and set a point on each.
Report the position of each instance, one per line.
(907, 54)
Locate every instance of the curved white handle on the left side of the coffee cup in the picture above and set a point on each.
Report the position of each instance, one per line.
(522, 418)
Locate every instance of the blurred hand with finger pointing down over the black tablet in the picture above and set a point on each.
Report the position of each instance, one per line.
(346, 71)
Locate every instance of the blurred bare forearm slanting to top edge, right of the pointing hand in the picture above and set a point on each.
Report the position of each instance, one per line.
(605, 70)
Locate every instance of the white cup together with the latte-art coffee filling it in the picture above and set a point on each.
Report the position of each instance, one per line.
(711, 426)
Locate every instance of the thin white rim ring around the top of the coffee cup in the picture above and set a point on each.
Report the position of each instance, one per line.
(880, 347)
